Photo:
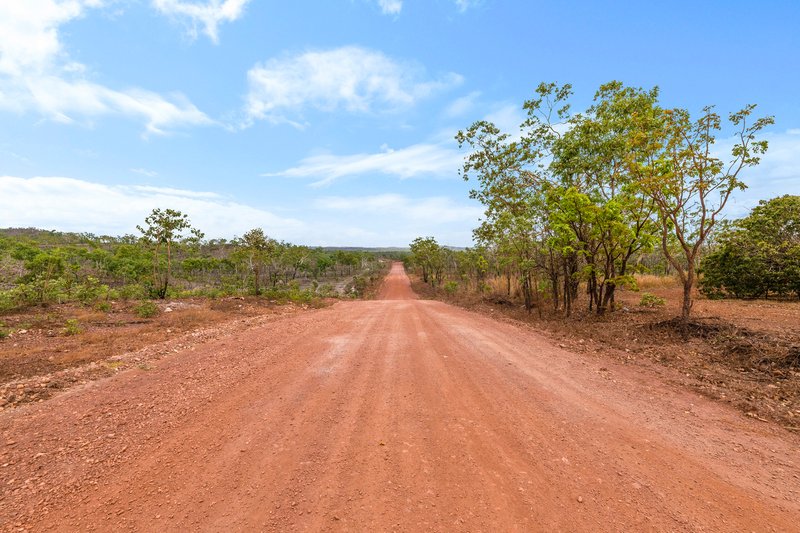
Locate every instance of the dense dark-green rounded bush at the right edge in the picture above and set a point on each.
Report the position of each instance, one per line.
(758, 255)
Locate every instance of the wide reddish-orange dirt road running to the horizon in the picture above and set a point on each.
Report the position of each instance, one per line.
(391, 415)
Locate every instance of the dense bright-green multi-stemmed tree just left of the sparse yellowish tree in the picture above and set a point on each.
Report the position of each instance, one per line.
(598, 203)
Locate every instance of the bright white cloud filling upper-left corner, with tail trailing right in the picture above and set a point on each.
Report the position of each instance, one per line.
(37, 75)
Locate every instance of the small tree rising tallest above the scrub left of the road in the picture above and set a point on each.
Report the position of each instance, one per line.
(164, 228)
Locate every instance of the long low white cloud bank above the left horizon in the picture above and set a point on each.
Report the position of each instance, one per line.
(68, 204)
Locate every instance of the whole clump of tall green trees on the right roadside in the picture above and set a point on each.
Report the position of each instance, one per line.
(579, 197)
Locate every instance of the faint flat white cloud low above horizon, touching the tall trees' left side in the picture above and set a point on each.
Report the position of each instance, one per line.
(439, 208)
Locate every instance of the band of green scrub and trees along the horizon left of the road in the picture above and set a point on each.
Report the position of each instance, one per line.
(170, 258)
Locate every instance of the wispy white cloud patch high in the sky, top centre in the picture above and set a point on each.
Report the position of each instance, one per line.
(351, 78)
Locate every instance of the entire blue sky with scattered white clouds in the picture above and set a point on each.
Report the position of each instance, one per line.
(332, 122)
